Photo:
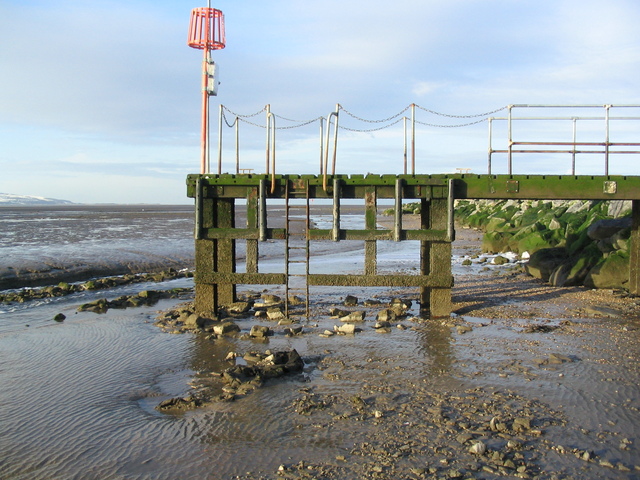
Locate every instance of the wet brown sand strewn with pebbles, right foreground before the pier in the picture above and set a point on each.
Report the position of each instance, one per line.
(523, 381)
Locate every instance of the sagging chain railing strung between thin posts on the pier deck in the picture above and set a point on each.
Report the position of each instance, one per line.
(380, 124)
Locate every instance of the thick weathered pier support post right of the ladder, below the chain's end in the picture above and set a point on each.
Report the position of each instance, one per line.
(435, 258)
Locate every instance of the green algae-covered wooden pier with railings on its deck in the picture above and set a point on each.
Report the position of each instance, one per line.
(217, 226)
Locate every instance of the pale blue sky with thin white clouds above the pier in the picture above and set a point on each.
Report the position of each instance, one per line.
(100, 100)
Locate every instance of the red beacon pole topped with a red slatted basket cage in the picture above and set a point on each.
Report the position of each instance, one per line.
(206, 33)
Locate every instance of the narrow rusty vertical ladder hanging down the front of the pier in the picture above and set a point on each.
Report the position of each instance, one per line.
(296, 256)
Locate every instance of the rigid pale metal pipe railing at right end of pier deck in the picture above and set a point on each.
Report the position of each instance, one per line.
(603, 146)
